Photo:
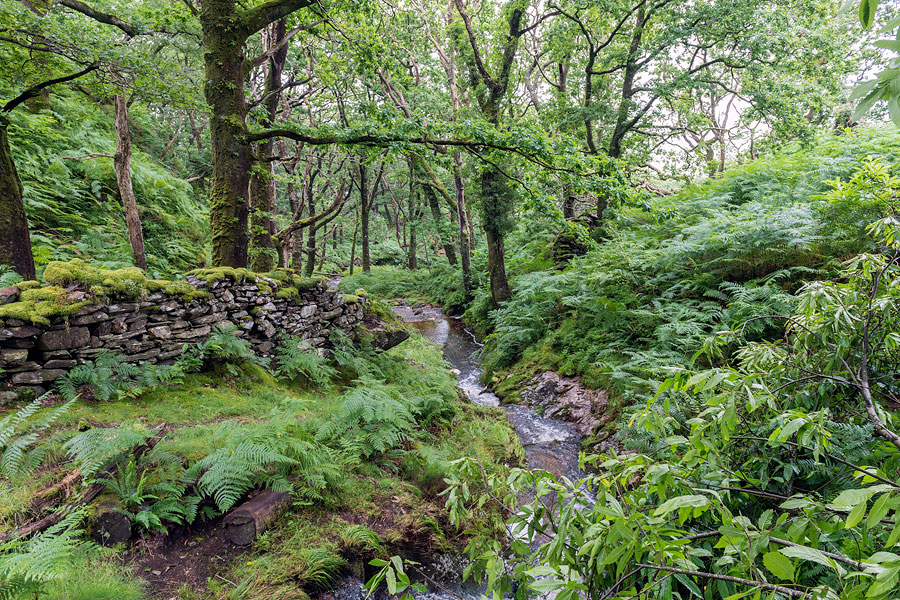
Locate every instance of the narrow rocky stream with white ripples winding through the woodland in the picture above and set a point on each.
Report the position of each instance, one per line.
(550, 444)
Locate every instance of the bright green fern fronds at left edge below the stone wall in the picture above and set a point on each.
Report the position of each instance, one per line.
(20, 451)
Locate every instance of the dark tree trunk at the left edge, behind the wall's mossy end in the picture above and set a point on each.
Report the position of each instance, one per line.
(15, 242)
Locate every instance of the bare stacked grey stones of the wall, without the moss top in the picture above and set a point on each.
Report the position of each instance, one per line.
(155, 326)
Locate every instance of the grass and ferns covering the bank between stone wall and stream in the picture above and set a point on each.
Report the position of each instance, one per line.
(363, 442)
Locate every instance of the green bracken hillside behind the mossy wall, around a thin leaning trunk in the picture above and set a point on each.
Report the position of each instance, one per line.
(72, 198)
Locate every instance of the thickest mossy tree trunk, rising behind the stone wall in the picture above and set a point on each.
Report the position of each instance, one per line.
(226, 28)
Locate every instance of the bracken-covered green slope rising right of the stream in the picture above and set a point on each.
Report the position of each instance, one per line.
(670, 271)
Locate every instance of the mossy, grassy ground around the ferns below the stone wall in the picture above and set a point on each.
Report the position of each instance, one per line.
(380, 509)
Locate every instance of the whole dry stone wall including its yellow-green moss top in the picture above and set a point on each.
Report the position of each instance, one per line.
(80, 310)
